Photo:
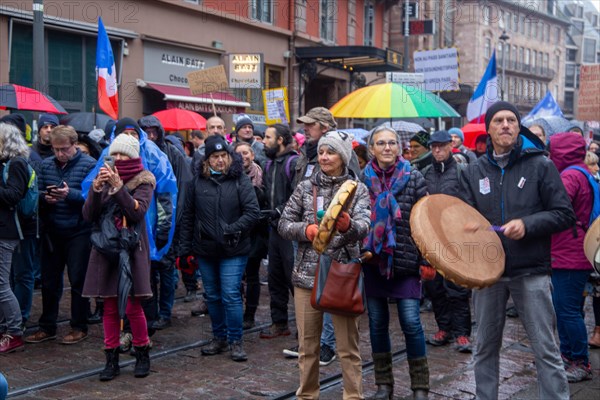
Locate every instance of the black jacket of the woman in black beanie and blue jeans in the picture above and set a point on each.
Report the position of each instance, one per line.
(219, 214)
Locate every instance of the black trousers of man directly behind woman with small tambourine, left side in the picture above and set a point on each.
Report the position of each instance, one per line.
(281, 264)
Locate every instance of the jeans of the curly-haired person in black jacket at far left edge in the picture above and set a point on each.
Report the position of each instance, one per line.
(10, 312)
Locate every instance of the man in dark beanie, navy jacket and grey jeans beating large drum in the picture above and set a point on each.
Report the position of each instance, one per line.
(514, 186)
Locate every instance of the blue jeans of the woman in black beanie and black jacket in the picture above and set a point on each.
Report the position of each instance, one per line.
(222, 279)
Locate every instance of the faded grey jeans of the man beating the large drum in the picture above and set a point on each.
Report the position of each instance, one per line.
(532, 295)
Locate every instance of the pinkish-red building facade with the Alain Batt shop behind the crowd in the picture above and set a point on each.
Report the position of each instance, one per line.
(156, 43)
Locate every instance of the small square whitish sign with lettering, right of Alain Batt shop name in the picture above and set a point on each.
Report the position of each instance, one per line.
(246, 71)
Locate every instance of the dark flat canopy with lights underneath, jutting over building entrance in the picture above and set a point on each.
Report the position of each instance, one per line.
(353, 58)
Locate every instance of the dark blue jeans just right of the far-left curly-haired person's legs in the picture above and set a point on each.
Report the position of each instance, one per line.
(22, 276)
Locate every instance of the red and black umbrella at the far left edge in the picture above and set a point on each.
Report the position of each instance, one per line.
(17, 97)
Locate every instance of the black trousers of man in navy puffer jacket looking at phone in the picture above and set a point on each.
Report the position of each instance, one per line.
(58, 251)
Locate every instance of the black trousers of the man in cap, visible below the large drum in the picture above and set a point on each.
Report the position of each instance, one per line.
(450, 306)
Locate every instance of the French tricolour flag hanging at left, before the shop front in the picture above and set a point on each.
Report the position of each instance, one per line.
(106, 75)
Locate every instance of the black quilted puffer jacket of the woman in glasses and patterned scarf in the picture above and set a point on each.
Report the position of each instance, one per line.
(407, 257)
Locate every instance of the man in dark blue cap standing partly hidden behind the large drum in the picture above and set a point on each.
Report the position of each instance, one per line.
(450, 302)
